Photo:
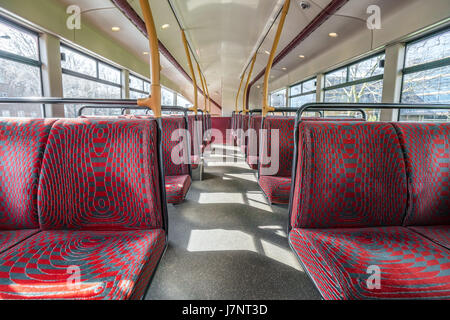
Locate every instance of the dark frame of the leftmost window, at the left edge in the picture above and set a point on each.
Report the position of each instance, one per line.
(24, 60)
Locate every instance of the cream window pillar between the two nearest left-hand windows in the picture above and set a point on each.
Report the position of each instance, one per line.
(51, 74)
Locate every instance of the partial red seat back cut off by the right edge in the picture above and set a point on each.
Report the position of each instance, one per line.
(427, 154)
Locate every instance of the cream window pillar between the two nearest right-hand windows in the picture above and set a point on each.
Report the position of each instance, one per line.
(392, 81)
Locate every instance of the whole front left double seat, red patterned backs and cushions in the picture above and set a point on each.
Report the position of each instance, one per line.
(82, 208)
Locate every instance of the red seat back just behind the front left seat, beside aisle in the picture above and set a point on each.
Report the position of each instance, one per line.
(174, 136)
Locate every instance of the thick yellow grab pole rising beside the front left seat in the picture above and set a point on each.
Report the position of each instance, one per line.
(154, 99)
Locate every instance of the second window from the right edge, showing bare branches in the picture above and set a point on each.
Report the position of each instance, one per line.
(360, 82)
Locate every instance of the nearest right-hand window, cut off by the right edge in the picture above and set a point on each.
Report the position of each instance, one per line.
(426, 77)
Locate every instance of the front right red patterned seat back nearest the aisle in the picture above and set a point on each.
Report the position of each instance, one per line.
(349, 174)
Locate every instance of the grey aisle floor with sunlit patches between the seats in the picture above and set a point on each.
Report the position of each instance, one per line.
(226, 242)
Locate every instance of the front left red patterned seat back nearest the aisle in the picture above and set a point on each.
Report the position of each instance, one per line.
(101, 175)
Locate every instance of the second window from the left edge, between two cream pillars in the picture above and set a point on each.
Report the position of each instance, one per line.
(87, 77)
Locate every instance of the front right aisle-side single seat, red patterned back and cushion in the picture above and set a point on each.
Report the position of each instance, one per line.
(349, 205)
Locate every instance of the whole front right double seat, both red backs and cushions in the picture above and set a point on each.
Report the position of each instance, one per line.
(370, 210)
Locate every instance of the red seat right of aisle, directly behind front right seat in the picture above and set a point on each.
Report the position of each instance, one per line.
(276, 185)
